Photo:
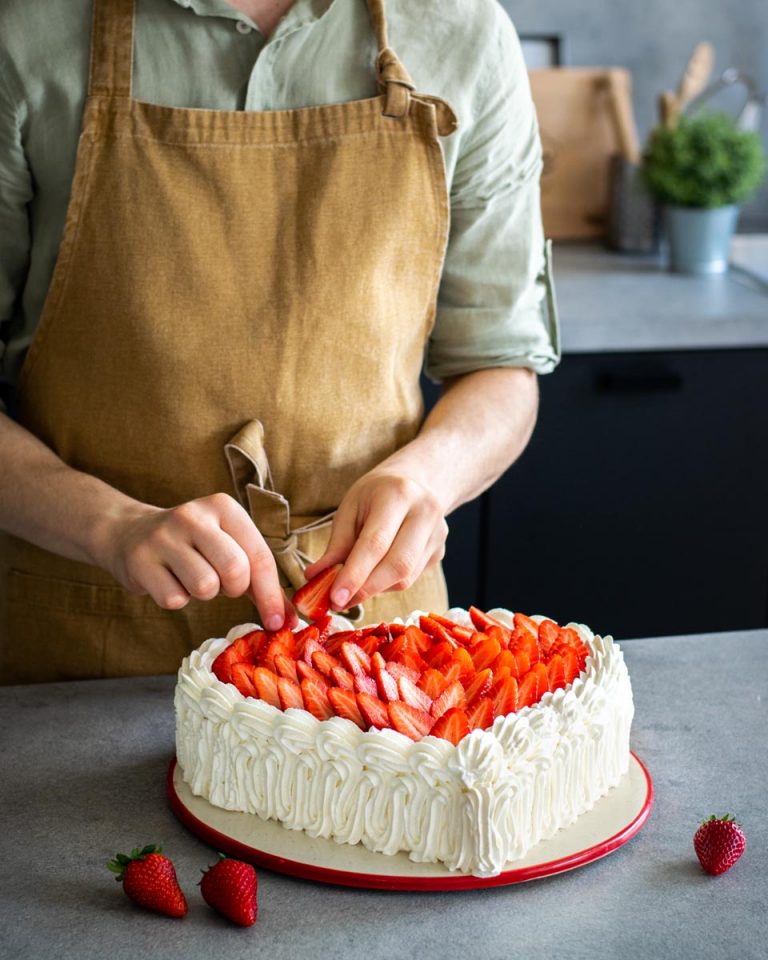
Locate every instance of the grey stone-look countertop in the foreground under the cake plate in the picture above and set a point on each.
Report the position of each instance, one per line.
(83, 776)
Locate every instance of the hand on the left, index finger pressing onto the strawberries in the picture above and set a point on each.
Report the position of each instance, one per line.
(199, 549)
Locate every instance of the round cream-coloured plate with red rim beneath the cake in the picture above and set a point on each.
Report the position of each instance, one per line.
(614, 820)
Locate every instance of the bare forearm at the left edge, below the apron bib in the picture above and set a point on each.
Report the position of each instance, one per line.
(44, 501)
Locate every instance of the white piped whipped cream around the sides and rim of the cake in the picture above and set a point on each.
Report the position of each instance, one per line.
(476, 807)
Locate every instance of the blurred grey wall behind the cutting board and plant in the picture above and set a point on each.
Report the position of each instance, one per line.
(653, 39)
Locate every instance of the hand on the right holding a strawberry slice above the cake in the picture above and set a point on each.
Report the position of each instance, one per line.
(387, 530)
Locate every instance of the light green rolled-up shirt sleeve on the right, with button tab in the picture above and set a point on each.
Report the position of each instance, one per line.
(496, 304)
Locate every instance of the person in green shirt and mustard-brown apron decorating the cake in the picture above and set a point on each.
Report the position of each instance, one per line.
(221, 273)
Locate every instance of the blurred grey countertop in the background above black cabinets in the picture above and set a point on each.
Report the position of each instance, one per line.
(615, 302)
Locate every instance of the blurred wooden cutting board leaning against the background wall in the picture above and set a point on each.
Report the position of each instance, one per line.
(577, 111)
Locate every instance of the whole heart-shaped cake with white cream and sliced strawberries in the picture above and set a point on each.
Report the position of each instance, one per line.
(462, 740)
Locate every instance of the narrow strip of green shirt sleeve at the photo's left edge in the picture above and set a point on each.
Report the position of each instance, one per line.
(15, 196)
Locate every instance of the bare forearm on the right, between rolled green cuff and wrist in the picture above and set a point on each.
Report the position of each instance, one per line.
(479, 427)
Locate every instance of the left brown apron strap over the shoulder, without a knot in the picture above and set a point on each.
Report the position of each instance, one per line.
(111, 49)
